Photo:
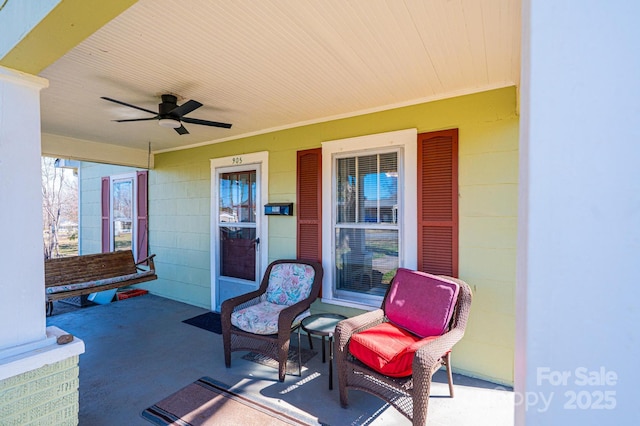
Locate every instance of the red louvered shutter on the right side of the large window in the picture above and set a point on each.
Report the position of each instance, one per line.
(438, 202)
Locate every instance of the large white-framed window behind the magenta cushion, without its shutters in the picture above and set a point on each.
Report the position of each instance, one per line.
(369, 215)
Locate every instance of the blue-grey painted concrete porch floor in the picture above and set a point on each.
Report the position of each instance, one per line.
(138, 351)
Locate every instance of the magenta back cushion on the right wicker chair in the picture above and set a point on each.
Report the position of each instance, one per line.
(421, 303)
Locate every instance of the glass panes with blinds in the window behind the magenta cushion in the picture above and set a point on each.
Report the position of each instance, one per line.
(366, 222)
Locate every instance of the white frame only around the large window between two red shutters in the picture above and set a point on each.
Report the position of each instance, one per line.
(406, 142)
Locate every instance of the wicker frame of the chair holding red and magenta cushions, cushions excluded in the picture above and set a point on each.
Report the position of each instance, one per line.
(409, 394)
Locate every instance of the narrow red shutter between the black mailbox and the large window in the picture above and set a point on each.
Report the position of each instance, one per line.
(309, 209)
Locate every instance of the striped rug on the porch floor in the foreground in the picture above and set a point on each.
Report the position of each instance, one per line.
(209, 402)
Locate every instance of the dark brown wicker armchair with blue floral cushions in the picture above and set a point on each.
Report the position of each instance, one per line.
(272, 341)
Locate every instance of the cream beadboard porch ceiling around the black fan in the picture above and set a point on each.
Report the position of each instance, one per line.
(271, 64)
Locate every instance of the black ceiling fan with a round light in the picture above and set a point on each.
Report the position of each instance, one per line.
(170, 114)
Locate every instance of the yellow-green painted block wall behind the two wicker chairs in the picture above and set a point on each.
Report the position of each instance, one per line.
(488, 123)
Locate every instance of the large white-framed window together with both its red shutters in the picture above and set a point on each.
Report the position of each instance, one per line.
(392, 202)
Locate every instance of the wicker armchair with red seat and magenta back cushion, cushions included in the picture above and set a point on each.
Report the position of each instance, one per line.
(394, 351)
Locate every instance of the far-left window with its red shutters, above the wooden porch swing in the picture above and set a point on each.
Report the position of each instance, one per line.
(124, 213)
